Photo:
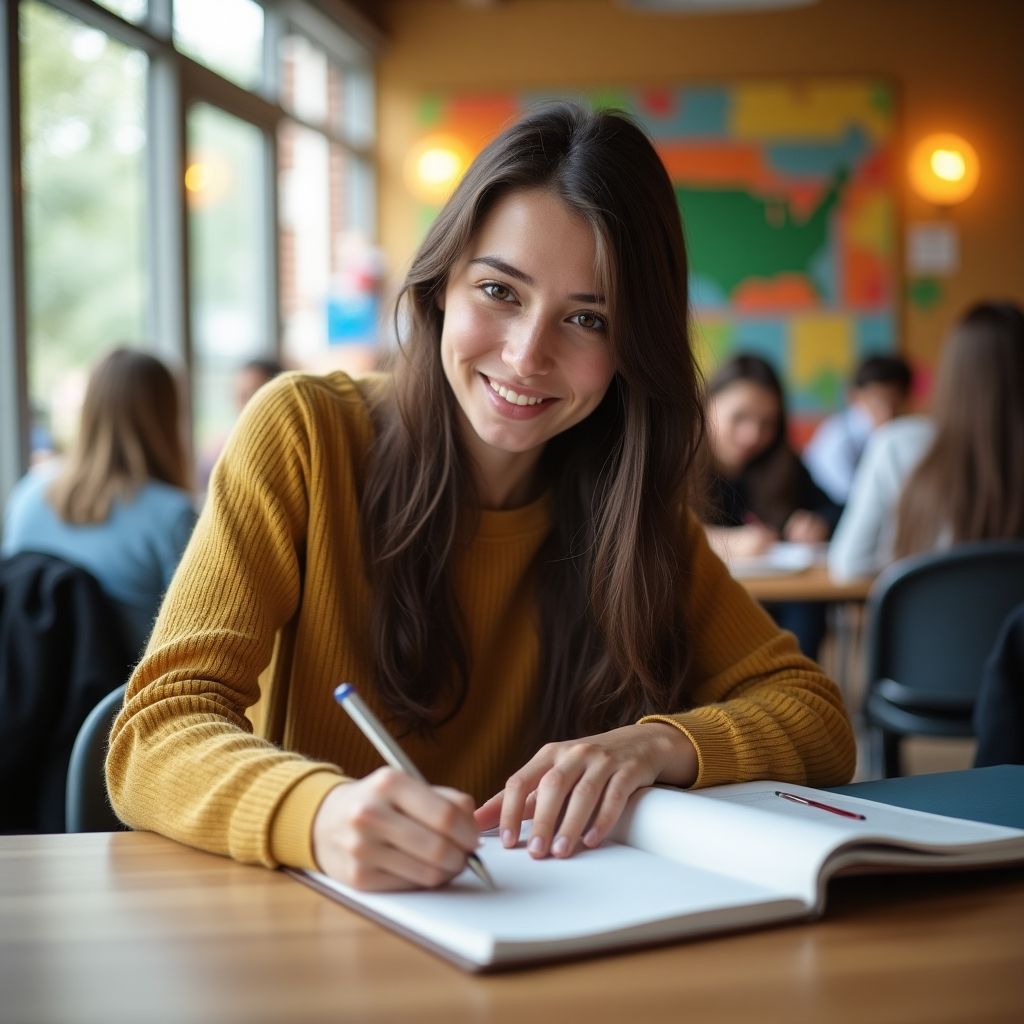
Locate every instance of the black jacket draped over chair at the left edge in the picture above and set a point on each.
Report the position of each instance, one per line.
(62, 650)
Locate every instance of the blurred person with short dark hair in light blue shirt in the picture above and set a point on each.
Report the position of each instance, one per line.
(878, 395)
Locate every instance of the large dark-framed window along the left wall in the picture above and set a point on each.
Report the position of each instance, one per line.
(197, 178)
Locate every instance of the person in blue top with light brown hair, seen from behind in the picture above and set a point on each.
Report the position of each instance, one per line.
(118, 505)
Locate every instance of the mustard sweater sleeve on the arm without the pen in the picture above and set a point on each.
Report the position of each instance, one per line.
(761, 710)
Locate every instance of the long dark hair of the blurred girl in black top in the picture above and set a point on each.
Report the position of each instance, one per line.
(772, 479)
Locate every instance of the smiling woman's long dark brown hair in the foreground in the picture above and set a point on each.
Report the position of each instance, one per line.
(611, 583)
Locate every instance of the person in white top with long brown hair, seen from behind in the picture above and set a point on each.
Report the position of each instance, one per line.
(928, 483)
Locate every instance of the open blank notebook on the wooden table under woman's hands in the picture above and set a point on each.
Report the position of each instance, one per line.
(680, 865)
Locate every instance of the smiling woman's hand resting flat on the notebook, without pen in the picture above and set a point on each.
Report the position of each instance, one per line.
(577, 790)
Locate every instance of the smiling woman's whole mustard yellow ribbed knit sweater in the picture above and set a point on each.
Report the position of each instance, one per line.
(230, 737)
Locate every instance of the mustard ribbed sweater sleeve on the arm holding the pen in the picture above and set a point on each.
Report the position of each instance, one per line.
(184, 760)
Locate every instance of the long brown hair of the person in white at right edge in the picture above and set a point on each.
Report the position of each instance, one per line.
(971, 481)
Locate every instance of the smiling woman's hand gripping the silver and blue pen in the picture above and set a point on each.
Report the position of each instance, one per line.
(391, 831)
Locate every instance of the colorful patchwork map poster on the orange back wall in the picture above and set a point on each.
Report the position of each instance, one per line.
(787, 197)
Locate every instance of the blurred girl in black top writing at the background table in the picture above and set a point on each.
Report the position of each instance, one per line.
(759, 492)
